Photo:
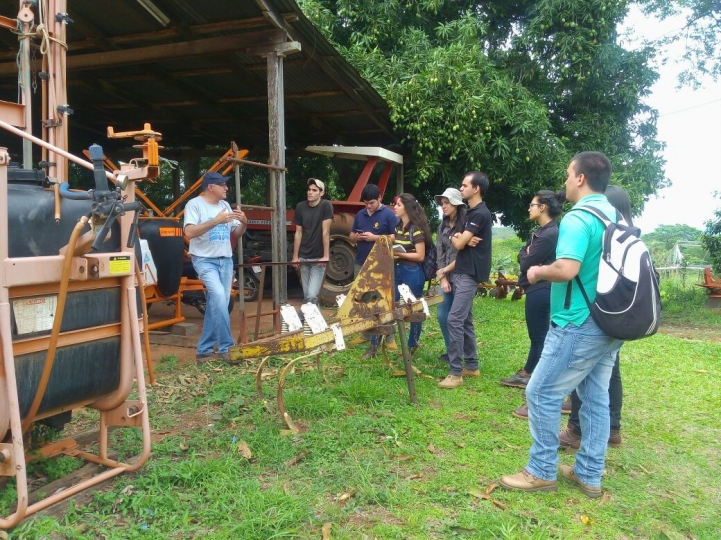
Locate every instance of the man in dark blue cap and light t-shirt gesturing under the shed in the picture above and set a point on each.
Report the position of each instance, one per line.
(209, 225)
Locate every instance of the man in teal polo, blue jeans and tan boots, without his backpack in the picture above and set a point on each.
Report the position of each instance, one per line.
(577, 353)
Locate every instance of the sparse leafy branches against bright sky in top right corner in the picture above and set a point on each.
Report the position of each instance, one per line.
(699, 35)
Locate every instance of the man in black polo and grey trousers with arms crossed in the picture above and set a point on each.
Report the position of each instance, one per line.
(473, 265)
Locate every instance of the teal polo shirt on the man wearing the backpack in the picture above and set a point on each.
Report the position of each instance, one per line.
(580, 236)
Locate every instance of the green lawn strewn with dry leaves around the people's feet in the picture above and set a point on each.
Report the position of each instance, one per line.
(372, 465)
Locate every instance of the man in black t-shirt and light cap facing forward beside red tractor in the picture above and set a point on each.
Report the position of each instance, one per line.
(312, 239)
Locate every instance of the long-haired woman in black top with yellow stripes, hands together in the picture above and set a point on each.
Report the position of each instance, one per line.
(412, 234)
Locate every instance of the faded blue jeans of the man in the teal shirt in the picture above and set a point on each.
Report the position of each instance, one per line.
(580, 357)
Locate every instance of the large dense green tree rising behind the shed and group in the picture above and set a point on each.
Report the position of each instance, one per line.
(511, 88)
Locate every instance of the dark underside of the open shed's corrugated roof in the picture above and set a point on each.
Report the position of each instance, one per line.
(204, 99)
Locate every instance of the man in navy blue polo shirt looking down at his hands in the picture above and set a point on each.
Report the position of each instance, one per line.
(370, 223)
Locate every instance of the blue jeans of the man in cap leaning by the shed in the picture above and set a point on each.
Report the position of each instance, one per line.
(217, 276)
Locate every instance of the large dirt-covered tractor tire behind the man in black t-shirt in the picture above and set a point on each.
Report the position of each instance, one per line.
(340, 271)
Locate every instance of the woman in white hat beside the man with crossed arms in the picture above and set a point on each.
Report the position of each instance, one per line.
(454, 218)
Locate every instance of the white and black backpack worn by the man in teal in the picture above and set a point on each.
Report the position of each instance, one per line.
(628, 301)
